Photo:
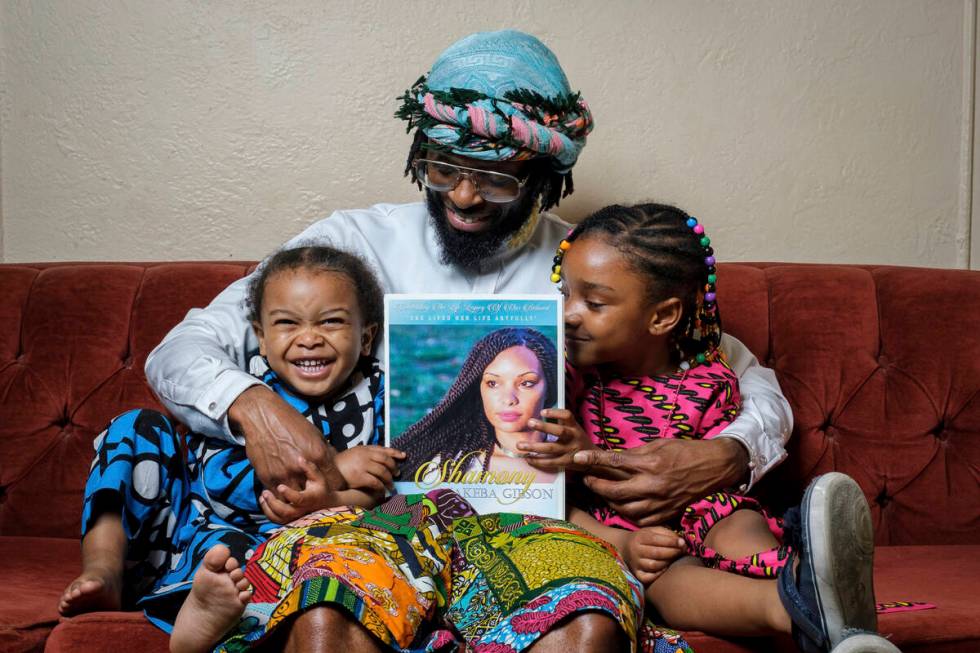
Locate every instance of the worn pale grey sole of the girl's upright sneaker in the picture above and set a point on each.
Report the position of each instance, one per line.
(837, 525)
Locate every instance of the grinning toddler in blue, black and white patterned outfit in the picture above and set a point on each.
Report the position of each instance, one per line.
(150, 518)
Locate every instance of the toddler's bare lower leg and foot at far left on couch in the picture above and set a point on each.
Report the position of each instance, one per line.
(99, 586)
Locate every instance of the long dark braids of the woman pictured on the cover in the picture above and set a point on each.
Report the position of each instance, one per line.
(458, 424)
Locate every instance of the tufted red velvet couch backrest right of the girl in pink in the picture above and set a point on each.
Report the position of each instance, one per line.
(883, 375)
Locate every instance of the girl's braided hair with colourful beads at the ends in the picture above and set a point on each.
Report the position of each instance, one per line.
(659, 242)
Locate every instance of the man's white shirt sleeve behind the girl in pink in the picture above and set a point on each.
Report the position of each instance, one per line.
(765, 422)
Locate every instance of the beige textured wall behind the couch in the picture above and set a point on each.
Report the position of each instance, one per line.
(798, 130)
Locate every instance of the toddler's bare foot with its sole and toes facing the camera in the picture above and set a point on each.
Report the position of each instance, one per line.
(217, 599)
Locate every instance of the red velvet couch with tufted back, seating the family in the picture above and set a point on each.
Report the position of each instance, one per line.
(881, 365)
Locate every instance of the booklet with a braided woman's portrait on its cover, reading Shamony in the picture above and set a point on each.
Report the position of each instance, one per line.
(464, 374)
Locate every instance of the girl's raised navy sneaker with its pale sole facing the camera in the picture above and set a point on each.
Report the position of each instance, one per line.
(831, 595)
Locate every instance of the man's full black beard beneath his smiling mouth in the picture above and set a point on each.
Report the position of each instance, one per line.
(467, 250)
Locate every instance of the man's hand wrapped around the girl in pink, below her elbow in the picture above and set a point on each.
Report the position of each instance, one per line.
(651, 484)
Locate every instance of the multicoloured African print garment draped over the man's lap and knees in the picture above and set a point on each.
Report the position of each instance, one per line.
(425, 573)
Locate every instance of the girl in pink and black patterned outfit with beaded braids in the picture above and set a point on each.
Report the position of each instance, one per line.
(642, 329)
